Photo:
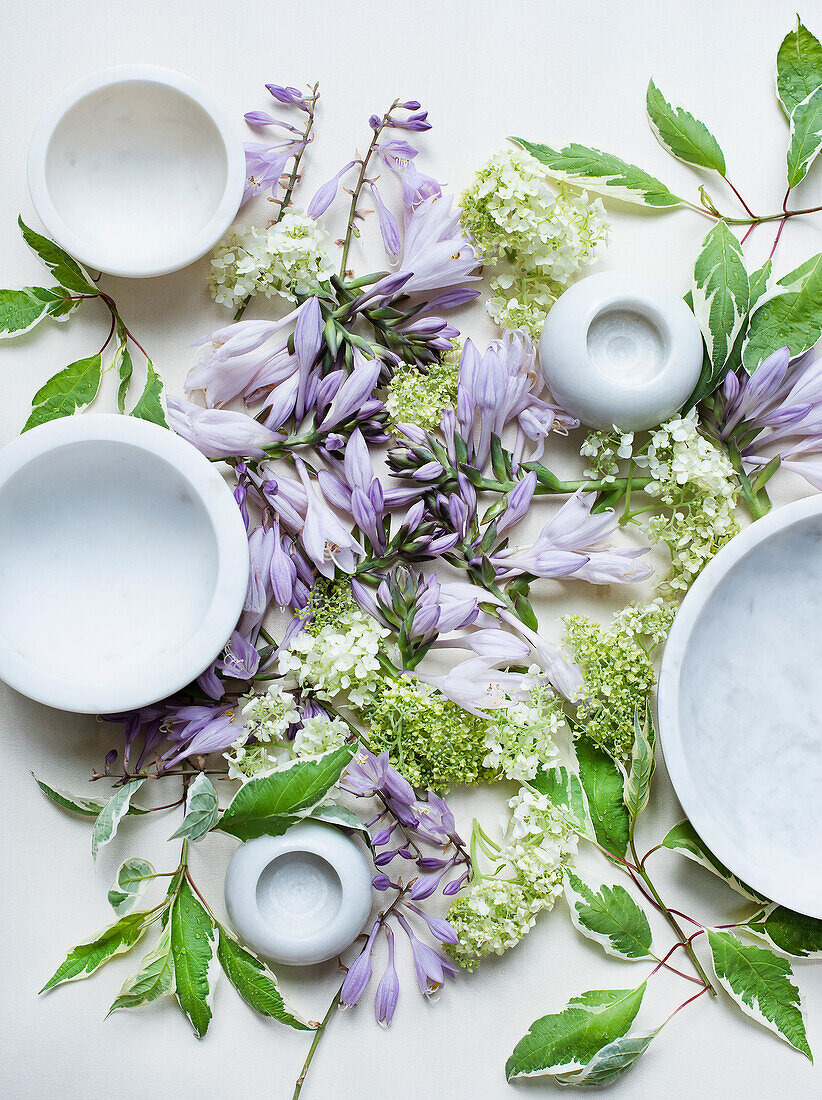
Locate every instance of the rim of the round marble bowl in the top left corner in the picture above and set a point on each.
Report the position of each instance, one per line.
(114, 261)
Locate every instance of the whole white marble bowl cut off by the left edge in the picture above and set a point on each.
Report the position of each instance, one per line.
(124, 564)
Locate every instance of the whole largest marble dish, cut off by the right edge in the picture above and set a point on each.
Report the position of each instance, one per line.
(740, 706)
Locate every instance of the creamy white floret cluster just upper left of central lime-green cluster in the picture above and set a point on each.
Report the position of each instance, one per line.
(339, 658)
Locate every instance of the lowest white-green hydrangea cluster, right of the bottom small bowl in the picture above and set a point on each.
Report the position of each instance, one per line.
(497, 912)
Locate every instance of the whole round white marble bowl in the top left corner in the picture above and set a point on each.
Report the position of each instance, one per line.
(137, 171)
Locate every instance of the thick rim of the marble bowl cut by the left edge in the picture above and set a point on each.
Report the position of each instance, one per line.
(226, 604)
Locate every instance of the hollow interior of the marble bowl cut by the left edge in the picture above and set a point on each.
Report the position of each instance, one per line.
(108, 566)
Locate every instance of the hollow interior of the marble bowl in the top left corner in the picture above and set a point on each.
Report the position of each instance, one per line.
(137, 169)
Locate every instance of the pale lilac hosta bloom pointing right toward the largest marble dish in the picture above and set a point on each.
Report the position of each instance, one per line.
(573, 544)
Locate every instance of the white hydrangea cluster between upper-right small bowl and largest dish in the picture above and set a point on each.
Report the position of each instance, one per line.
(696, 480)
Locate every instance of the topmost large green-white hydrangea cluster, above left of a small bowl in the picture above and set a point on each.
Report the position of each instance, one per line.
(538, 234)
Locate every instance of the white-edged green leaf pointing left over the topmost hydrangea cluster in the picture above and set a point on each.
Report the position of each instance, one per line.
(602, 173)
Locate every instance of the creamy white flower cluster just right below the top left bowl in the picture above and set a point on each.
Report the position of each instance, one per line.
(291, 258)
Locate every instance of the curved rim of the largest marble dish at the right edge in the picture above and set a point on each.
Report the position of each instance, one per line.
(747, 866)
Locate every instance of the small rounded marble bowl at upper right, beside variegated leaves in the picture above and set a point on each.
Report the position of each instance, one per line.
(621, 349)
